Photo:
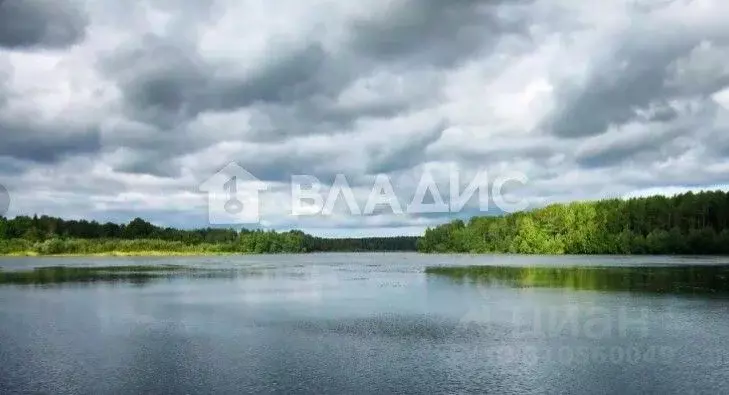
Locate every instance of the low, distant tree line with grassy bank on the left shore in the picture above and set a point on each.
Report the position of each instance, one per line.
(45, 235)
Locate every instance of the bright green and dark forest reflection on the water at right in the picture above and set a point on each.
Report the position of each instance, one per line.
(695, 279)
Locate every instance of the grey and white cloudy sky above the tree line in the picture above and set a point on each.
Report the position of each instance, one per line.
(111, 109)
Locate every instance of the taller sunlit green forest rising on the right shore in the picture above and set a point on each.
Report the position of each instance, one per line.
(690, 223)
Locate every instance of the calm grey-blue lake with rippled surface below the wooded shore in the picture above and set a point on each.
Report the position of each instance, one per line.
(365, 323)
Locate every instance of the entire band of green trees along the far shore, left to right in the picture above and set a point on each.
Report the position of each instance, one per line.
(686, 224)
